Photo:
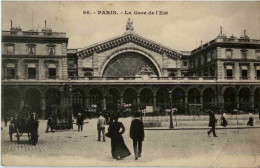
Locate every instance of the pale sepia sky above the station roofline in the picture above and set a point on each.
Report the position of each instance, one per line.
(183, 28)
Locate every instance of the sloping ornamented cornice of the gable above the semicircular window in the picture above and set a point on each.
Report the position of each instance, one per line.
(128, 38)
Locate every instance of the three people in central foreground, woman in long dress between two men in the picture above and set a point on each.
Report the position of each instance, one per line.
(115, 131)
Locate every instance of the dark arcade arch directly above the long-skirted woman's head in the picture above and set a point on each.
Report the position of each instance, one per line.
(113, 100)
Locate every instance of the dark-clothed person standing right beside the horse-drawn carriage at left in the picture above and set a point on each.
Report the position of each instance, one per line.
(34, 125)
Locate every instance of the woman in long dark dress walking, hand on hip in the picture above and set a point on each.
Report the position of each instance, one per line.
(118, 148)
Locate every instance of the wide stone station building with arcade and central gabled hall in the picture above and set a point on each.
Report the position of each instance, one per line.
(127, 72)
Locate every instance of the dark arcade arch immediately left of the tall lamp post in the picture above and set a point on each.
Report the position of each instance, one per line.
(162, 99)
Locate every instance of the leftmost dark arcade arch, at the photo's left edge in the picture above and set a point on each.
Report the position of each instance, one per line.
(10, 102)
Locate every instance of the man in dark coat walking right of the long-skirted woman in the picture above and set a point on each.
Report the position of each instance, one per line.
(137, 134)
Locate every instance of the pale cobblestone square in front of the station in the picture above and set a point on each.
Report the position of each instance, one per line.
(232, 148)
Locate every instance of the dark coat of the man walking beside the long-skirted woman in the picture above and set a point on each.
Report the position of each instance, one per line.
(137, 130)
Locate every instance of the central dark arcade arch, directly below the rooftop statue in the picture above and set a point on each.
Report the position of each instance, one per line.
(130, 98)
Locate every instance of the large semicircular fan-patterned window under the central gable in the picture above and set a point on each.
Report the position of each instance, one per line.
(128, 65)
